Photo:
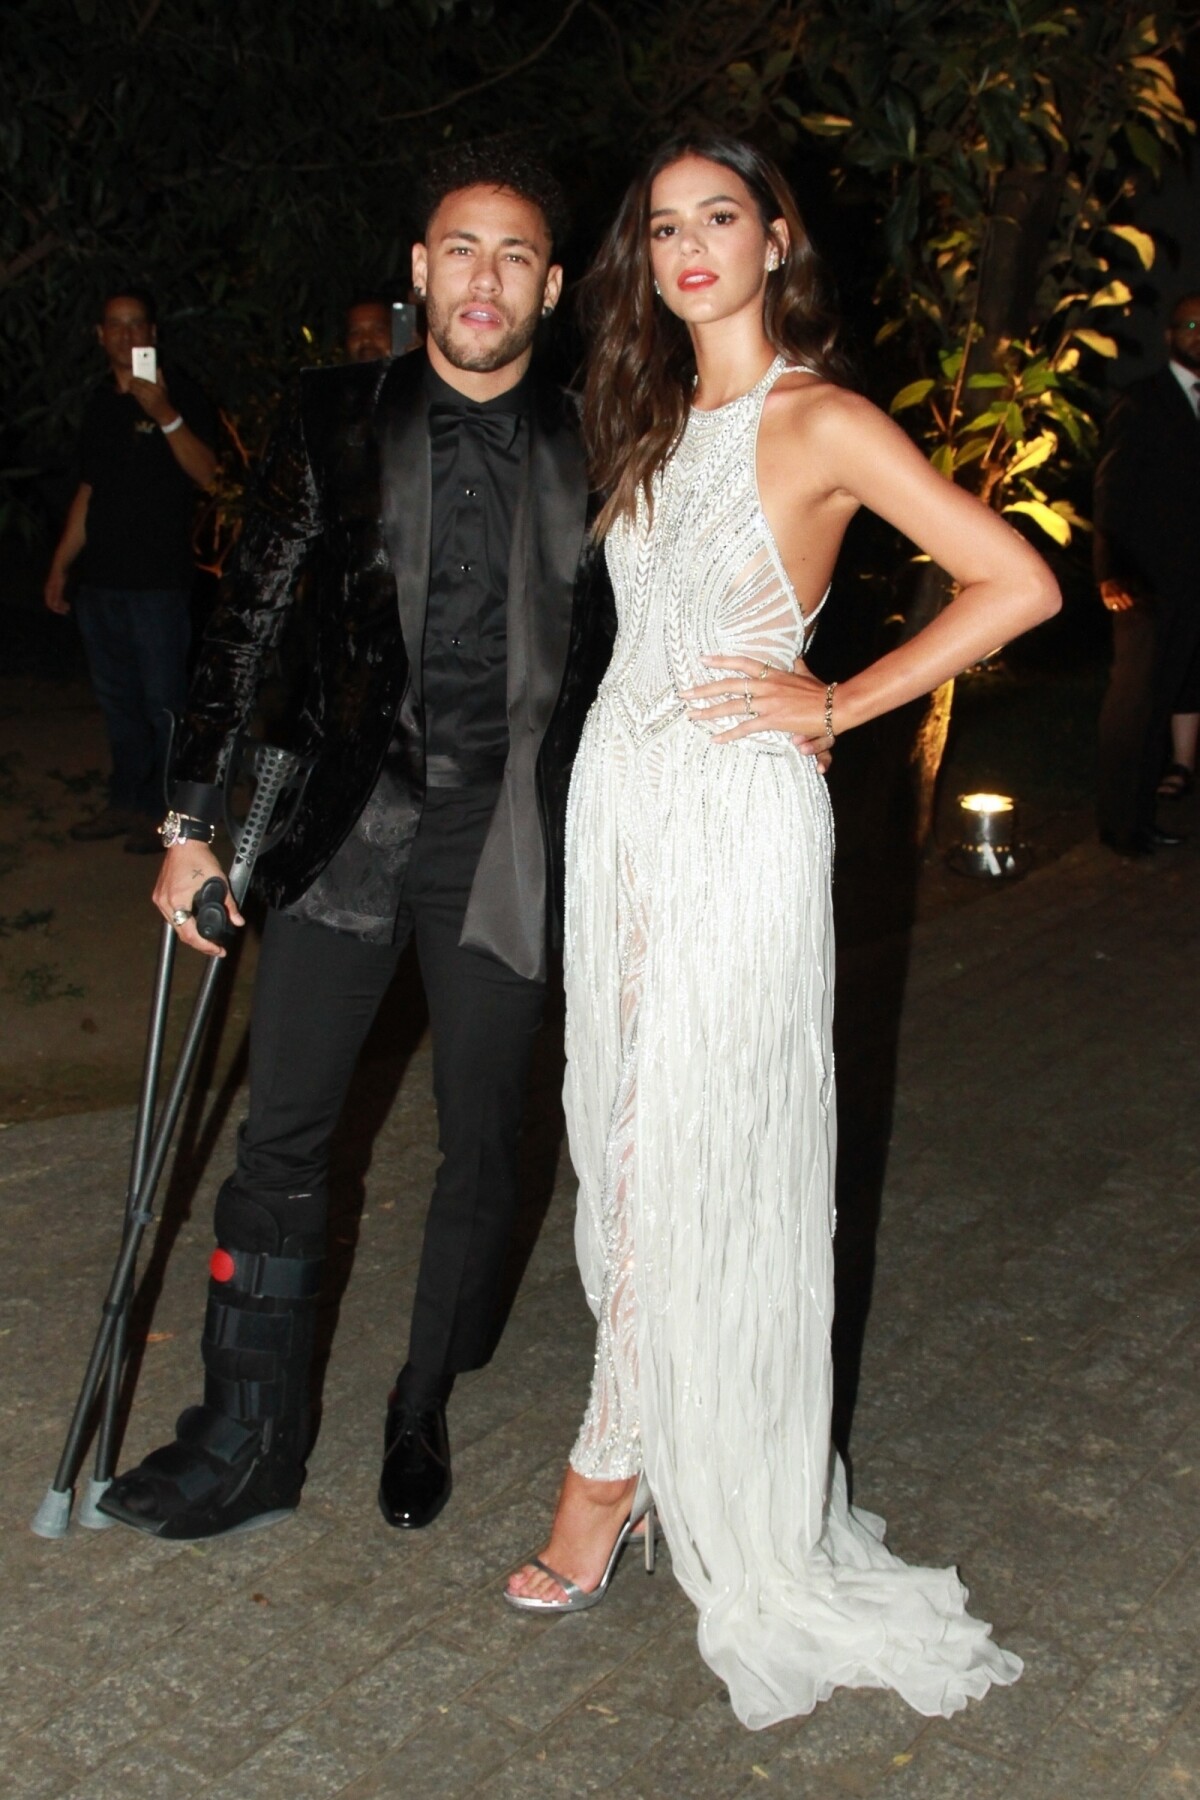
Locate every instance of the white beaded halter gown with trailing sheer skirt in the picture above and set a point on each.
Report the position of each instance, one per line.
(701, 1113)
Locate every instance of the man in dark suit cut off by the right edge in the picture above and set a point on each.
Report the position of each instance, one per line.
(1149, 571)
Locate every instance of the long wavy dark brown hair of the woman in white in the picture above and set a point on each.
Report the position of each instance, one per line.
(641, 366)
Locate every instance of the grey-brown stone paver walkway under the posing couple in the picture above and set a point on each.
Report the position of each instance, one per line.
(1028, 1408)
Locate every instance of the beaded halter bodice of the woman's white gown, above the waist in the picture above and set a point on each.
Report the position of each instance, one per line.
(704, 575)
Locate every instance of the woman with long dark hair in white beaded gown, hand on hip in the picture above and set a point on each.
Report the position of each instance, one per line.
(699, 944)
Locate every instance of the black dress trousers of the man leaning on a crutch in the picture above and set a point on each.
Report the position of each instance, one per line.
(316, 998)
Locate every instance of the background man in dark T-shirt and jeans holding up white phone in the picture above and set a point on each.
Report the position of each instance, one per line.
(147, 447)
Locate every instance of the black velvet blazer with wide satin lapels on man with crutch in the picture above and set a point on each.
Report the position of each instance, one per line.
(346, 496)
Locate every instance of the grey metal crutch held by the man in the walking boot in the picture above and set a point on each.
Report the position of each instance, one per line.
(280, 784)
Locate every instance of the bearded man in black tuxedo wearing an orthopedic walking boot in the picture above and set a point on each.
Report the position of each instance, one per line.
(440, 505)
